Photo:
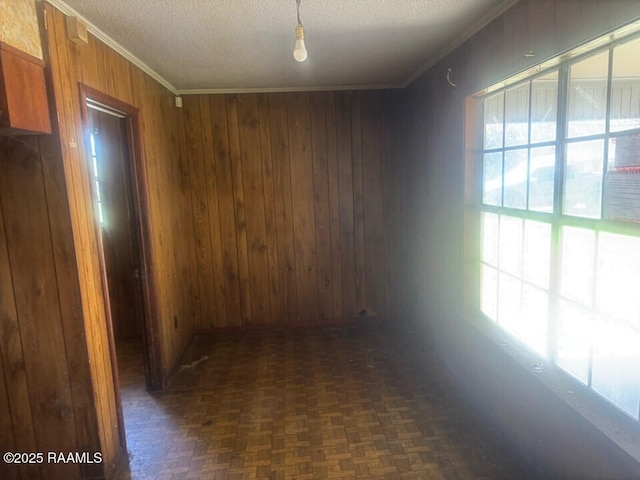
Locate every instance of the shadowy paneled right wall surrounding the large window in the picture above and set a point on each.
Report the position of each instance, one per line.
(430, 139)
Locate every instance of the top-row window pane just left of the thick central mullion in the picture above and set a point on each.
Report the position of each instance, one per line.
(544, 102)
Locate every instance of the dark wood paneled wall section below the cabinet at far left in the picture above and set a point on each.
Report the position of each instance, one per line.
(46, 389)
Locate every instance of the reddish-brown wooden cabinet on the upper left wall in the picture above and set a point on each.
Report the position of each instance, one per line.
(24, 108)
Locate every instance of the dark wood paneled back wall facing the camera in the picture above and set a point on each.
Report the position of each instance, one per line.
(293, 213)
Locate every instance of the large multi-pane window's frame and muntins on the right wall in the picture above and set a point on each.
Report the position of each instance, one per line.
(557, 219)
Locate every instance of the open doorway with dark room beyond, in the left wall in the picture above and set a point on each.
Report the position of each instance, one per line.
(118, 185)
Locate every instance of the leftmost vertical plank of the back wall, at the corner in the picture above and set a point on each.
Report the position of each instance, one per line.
(193, 128)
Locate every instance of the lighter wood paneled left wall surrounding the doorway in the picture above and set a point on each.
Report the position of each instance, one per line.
(101, 68)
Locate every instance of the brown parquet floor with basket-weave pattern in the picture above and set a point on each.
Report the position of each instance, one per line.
(359, 401)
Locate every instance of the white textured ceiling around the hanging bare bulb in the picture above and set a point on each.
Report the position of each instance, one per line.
(239, 45)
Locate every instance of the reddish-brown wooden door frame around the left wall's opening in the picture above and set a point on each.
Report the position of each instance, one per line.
(141, 225)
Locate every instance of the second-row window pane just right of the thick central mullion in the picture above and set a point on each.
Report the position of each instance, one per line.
(583, 179)
